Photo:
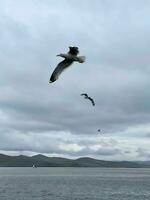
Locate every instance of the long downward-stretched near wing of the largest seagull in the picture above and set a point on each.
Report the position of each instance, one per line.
(59, 69)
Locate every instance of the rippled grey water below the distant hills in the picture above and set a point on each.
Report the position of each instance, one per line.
(74, 184)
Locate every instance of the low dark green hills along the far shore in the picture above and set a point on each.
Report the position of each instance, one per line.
(44, 161)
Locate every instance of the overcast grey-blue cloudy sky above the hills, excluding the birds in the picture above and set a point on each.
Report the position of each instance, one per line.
(53, 119)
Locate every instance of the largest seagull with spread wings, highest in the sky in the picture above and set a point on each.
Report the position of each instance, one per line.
(69, 58)
